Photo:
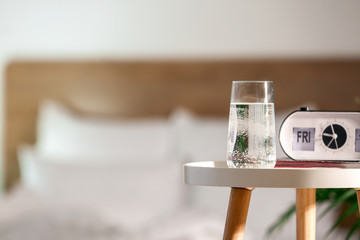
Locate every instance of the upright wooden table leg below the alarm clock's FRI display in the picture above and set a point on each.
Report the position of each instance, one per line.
(305, 214)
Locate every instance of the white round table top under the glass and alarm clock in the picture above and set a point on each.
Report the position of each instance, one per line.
(286, 174)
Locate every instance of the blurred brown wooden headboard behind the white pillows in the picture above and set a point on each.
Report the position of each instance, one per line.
(143, 89)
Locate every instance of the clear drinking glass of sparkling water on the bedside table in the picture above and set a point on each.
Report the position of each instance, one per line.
(251, 133)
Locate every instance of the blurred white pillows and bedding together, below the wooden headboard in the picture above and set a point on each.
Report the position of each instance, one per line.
(84, 179)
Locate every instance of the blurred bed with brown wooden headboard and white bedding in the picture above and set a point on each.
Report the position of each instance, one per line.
(112, 137)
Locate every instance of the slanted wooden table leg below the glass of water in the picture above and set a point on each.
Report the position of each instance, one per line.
(237, 213)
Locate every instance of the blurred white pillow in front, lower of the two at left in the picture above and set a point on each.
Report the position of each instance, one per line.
(133, 195)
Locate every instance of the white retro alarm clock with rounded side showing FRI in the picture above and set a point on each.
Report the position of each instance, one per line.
(321, 135)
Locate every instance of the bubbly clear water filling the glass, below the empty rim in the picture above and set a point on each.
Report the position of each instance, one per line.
(251, 135)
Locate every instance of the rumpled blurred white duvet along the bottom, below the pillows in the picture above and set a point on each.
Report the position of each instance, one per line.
(23, 216)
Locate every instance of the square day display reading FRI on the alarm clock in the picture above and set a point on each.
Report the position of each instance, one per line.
(303, 139)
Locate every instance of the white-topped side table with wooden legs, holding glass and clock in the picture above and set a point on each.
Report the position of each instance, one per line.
(304, 178)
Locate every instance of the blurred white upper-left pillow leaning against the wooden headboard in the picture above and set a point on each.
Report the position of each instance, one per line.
(67, 136)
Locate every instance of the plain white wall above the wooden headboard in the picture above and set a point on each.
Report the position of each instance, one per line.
(117, 28)
